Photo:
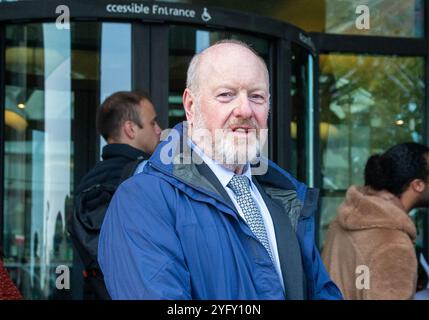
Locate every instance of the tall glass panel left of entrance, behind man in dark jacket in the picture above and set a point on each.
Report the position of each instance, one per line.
(52, 88)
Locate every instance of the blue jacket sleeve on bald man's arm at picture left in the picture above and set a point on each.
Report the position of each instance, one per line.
(139, 252)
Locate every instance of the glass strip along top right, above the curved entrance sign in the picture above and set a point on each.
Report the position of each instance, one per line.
(396, 18)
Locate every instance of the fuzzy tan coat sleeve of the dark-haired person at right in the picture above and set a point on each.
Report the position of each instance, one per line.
(392, 274)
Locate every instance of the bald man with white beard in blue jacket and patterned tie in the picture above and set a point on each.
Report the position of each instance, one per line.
(210, 217)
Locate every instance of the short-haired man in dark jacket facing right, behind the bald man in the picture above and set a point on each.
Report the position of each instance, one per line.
(127, 121)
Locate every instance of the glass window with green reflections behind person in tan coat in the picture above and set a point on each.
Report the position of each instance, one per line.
(368, 104)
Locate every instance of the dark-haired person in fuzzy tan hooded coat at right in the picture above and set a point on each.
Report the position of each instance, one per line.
(369, 249)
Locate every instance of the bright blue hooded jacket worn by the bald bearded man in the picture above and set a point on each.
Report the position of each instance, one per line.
(168, 235)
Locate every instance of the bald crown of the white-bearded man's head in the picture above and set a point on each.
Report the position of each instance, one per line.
(214, 55)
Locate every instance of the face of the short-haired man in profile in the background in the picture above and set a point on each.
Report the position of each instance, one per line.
(147, 138)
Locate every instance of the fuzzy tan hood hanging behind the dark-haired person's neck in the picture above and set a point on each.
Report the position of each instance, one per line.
(365, 208)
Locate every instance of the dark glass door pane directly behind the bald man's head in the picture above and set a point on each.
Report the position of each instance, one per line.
(184, 43)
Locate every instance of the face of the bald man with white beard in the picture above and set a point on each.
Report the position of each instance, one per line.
(232, 103)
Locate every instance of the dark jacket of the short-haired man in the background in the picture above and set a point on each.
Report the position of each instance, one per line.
(92, 199)
